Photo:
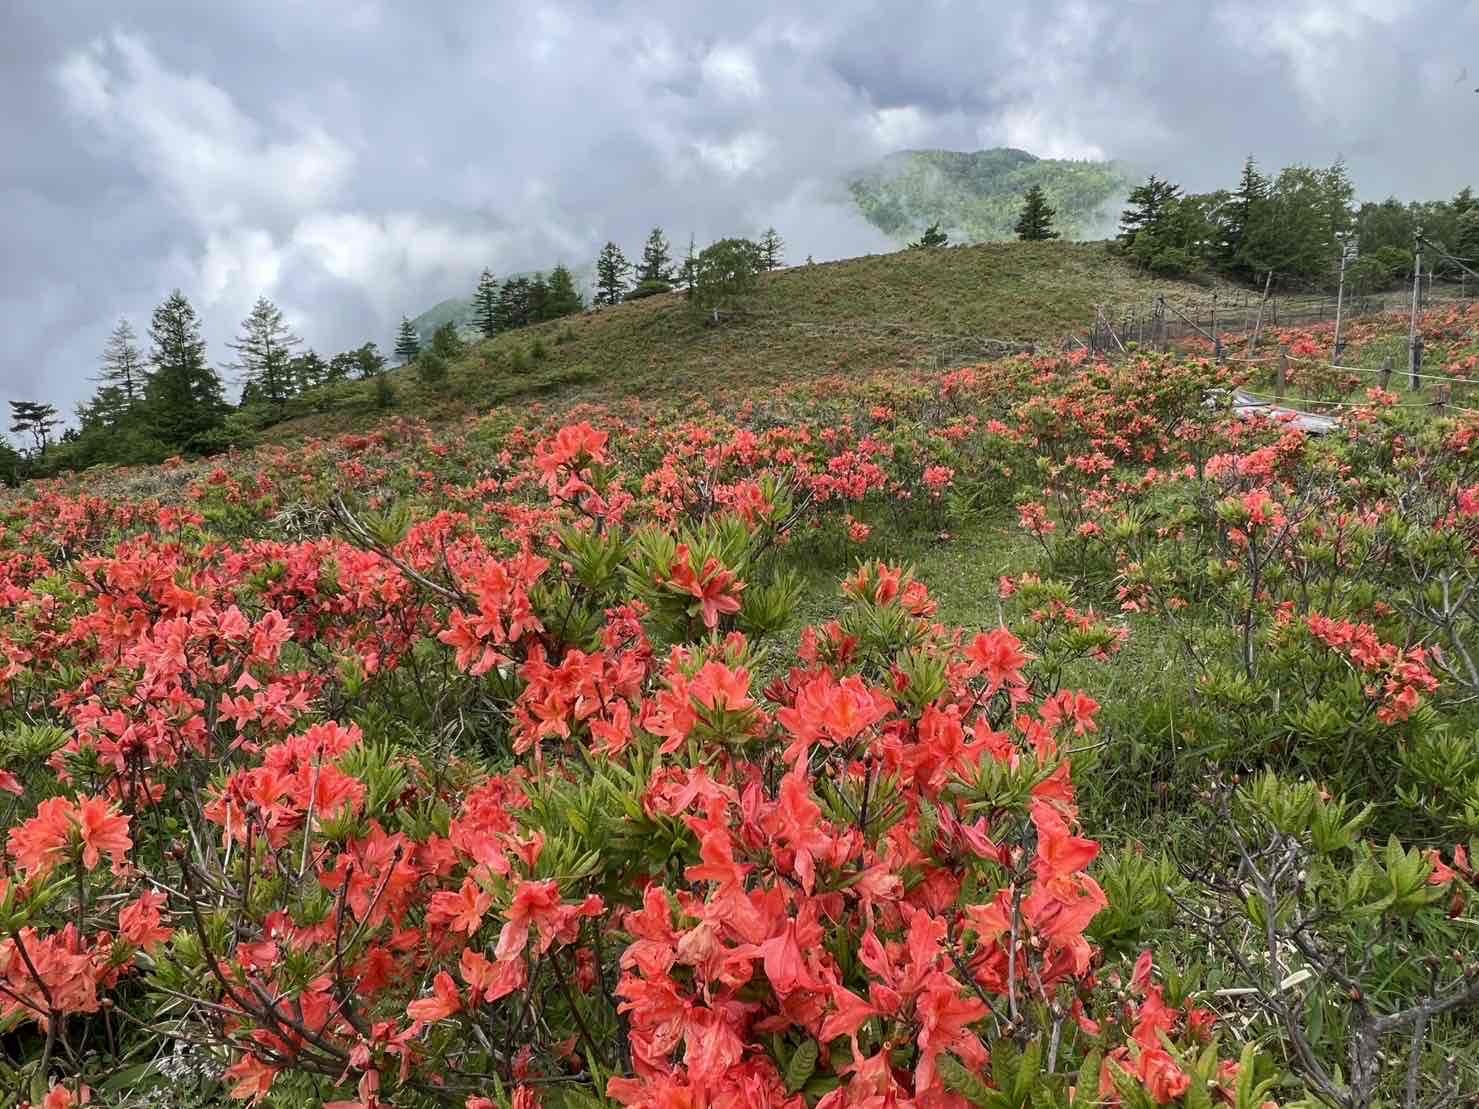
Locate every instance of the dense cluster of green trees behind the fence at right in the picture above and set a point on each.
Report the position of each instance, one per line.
(1295, 225)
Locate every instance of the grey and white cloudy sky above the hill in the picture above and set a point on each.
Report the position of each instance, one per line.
(362, 159)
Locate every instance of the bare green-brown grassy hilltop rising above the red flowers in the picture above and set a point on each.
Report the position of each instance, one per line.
(910, 308)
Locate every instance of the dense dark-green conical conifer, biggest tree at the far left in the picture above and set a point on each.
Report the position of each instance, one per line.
(184, 397)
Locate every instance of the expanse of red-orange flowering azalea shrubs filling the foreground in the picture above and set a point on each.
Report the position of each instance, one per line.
(490, 768)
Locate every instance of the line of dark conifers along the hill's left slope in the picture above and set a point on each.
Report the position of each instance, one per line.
(163, 397)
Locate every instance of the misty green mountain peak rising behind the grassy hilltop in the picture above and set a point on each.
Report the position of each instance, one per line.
(977, 197)
